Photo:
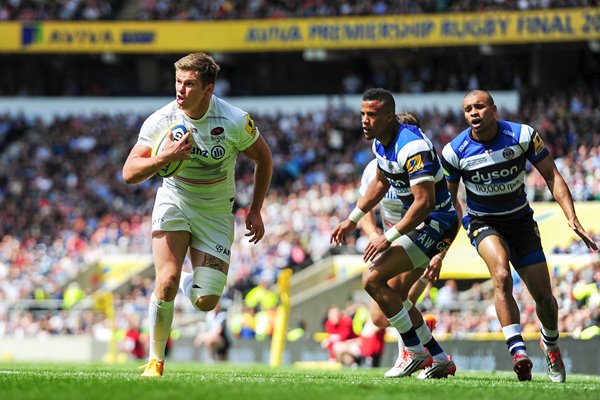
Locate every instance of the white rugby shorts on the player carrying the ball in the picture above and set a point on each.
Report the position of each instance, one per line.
(212, 234)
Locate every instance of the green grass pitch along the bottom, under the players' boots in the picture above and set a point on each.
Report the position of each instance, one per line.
(240, 382)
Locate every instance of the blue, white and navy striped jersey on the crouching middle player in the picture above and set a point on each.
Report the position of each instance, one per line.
(409, 160)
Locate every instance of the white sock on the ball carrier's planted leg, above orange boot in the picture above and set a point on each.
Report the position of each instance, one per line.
(160, 318)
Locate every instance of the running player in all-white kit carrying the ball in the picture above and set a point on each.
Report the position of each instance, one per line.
(193, 209)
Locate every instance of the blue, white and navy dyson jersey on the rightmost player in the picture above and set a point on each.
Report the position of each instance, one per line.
(494, 172)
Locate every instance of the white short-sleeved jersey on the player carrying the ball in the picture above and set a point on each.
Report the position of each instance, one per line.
(207, 179)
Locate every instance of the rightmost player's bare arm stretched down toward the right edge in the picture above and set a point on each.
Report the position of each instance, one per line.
(559, 189)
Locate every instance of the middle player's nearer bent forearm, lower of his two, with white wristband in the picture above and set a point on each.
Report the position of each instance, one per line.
(423, 204)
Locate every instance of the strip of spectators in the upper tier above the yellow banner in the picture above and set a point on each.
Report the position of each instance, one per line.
(91, 10)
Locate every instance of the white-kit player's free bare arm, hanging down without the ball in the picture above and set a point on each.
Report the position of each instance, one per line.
(260, 153)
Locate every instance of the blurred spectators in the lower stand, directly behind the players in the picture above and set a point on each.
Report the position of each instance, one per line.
(65, 205)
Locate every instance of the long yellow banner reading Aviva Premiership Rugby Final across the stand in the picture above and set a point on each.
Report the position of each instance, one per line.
(368, 32)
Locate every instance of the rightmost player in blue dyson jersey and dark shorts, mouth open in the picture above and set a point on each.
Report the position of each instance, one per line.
(490, 157)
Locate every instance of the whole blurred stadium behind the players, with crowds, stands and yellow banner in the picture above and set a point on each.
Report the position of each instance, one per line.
(78, 77)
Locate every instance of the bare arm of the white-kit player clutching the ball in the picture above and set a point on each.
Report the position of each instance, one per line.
(140, 166)
